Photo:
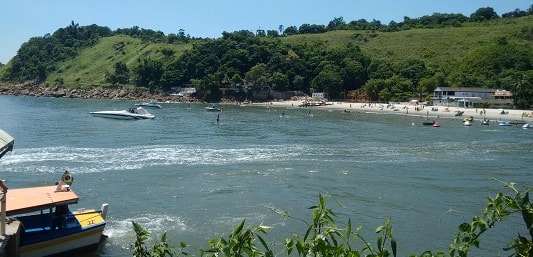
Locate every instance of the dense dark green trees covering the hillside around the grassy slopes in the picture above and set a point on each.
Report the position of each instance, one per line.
(242, 61)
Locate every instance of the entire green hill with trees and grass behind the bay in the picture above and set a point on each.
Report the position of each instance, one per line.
(384, 64)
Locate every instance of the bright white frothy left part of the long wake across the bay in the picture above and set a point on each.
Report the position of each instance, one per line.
(91, 160)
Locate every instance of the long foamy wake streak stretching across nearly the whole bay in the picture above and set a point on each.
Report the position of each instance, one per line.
(93, 160)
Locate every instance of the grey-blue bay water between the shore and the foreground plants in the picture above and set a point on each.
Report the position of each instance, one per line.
(195, 179)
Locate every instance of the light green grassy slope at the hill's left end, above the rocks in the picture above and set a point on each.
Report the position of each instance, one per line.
(91, 65)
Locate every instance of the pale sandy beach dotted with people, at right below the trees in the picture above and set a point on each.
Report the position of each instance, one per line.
(432, 112)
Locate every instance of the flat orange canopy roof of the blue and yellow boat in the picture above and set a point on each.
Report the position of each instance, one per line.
(32, 199)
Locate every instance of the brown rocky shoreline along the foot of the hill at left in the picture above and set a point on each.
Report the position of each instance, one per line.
(33, 88)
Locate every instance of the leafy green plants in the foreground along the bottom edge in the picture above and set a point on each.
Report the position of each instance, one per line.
(323, 238)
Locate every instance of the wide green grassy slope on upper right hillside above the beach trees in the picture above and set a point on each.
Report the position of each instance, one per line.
(437, 47)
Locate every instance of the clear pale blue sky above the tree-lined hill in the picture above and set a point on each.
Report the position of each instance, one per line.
(22, 19)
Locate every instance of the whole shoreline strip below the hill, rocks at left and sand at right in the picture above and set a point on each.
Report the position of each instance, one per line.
(32, 88)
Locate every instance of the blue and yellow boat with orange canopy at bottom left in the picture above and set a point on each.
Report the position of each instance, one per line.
(44, 225)
